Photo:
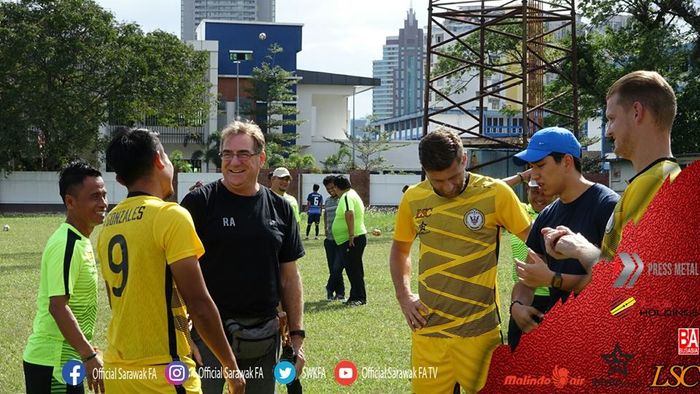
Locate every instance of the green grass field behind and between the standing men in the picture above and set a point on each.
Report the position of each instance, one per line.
(374, 335)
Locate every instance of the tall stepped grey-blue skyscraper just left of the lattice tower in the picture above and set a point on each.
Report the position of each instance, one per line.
(401, 72)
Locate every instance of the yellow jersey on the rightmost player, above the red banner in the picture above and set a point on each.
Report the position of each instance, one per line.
(634, 202)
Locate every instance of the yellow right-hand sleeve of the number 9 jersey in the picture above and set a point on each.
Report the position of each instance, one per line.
(175, 233)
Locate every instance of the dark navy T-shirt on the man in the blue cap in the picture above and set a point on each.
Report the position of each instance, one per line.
(588, 215)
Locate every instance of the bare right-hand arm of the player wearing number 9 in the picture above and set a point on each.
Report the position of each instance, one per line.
(190, 284)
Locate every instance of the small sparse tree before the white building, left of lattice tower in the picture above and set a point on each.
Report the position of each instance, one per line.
(368, 148)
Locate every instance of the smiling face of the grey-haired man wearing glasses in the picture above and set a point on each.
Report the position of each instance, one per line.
(241, 174)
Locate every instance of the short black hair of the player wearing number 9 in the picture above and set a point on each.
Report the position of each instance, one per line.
(130, 153)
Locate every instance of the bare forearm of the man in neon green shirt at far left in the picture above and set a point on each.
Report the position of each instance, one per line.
(70, 329)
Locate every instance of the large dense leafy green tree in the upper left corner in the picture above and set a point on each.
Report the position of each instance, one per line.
(66, 67)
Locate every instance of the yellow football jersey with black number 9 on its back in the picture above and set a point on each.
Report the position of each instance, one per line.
(140, 237)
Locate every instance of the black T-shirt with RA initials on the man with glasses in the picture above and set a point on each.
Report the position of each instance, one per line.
(245, 239)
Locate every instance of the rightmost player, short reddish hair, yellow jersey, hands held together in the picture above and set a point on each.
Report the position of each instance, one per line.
(641, 107)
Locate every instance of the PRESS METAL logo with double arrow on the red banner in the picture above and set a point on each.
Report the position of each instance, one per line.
(633, 267)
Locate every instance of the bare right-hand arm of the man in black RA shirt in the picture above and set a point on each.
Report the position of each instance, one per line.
(293, 305)
